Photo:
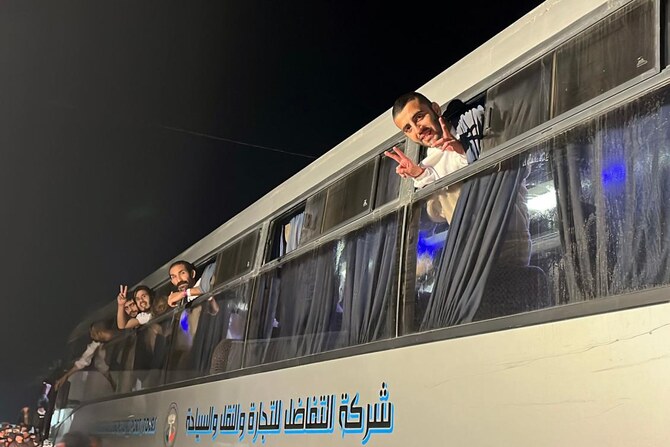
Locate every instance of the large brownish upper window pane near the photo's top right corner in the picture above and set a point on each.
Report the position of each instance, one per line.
(613, 51)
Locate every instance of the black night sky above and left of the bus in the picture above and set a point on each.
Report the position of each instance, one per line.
(106, 174)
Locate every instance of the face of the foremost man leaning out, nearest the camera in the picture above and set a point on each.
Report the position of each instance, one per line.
(420, 122)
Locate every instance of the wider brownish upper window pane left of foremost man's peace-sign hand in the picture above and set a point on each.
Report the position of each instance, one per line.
(349, 196)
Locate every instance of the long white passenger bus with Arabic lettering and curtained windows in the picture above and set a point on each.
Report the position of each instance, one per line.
(351, 313)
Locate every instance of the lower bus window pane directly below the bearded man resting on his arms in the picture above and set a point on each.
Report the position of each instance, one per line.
(209, 336)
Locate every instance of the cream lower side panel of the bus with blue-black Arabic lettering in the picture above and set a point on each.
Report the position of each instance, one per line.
(597, 380)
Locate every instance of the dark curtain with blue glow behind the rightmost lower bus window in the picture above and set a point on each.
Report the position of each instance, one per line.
(614, 190)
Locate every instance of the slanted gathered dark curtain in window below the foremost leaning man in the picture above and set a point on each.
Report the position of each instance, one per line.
(475, 236)
